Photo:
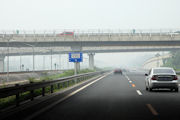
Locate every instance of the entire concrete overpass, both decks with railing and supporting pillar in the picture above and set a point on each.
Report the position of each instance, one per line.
(13, 43)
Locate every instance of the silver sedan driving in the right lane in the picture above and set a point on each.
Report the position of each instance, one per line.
(162, 77)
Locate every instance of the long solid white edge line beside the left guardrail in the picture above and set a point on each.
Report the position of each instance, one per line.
(69, 95)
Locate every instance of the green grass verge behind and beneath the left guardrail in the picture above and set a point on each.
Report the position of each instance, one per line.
(11, 100)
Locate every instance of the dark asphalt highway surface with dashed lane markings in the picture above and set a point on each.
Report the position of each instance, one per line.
(116, 97)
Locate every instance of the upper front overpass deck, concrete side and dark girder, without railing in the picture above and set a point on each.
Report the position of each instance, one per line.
(85, 39)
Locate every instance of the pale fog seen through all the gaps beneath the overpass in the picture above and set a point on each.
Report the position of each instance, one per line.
(102, 60)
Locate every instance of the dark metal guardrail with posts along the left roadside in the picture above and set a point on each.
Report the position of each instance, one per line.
(18, 89)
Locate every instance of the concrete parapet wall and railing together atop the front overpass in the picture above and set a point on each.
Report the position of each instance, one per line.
(90, 35)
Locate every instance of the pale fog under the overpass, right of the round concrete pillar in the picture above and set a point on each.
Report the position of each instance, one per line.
(123, 60)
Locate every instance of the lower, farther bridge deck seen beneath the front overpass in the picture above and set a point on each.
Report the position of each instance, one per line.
(64, 50)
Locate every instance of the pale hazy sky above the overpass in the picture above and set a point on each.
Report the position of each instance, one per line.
(88, 14)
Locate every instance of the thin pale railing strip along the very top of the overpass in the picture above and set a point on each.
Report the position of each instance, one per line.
(87, 31)
